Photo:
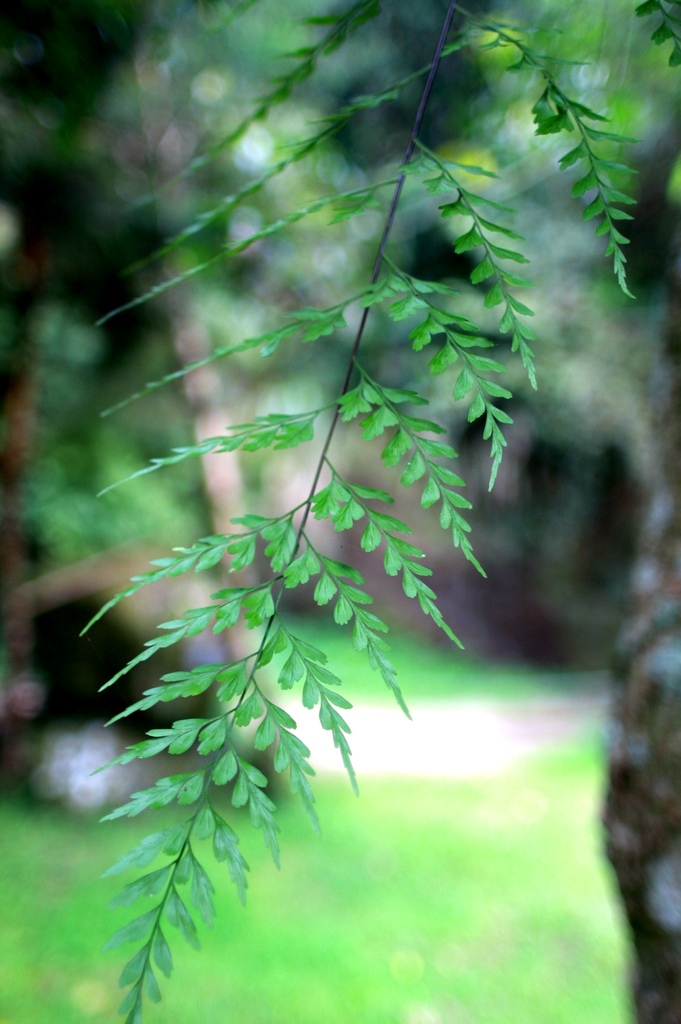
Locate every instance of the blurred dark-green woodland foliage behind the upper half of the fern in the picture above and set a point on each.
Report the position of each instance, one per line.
(95, 179)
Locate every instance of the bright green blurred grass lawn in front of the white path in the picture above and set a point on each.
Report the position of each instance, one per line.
(449, 903)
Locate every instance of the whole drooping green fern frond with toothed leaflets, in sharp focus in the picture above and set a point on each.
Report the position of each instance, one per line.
(413, 447)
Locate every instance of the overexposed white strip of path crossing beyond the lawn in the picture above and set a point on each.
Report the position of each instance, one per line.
(451, 740)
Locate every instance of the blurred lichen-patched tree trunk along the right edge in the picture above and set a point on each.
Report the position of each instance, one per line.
(644, 810)
